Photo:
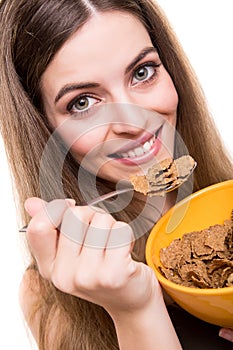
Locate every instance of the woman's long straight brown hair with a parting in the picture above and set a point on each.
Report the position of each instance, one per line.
(32, 31)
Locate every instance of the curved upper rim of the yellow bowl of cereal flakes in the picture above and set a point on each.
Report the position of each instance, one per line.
(163, 280)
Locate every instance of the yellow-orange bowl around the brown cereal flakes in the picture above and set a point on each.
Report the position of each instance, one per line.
(209, 206)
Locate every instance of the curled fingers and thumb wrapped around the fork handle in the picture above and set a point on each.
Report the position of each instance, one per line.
(88, 251)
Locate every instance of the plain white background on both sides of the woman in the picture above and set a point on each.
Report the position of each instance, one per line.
(204, 28)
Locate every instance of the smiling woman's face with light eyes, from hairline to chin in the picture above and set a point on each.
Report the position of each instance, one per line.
(111, 99)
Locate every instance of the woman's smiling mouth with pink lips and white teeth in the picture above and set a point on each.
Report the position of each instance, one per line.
(140, 153)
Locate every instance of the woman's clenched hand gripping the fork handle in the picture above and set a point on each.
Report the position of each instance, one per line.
(90, 257)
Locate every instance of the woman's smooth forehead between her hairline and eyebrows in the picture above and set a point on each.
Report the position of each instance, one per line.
(106, 39)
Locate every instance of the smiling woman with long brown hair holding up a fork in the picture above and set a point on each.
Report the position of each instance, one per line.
(62, 74)
